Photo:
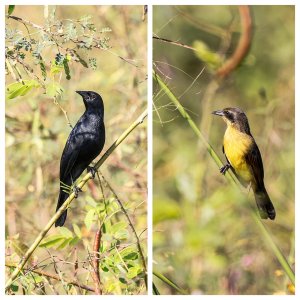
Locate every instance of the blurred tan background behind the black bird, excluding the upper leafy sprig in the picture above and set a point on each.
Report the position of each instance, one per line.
(36, 132)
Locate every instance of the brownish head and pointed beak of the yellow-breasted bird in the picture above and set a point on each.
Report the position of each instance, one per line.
(234, 117)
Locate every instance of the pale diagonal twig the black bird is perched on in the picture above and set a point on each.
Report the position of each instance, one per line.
(66, 204)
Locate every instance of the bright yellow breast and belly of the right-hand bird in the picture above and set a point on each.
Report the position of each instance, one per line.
(236, 145)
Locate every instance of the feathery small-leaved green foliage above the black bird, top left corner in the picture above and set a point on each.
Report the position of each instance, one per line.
(70, 37)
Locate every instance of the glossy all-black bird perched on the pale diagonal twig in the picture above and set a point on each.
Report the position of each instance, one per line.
(84, 144)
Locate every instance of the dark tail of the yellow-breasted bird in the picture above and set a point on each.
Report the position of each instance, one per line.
(264, 204)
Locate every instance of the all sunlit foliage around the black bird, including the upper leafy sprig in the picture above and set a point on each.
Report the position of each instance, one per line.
(39, 108)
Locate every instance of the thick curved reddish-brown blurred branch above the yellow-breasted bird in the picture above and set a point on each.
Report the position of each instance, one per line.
(243, 45)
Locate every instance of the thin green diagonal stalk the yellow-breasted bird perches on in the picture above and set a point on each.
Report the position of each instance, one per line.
(276, 250)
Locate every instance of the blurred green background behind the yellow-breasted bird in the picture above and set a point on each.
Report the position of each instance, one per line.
(204, 239)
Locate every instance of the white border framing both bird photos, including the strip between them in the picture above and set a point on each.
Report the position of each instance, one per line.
(150, 173)
